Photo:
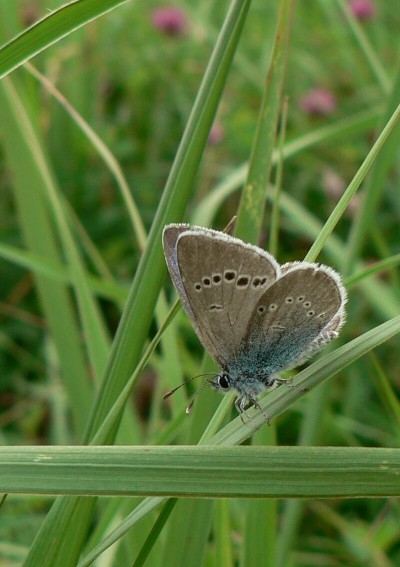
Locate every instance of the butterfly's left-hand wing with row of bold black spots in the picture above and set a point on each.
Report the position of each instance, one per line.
(220, 282)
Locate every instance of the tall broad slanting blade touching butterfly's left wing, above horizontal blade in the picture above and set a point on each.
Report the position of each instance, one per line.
(136, 318)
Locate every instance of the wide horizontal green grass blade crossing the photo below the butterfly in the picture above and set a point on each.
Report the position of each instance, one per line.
(202, 472)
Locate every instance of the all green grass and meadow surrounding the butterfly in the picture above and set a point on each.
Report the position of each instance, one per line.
(115, 119)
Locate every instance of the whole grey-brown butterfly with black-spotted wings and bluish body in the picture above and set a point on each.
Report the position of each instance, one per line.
(254, 316)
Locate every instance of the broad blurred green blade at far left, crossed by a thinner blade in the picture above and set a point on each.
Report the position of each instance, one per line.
(38, 232)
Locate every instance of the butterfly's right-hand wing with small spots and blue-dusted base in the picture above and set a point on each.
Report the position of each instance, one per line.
(290, 315)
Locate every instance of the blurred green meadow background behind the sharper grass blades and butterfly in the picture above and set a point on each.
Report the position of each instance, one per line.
(133, 75)
